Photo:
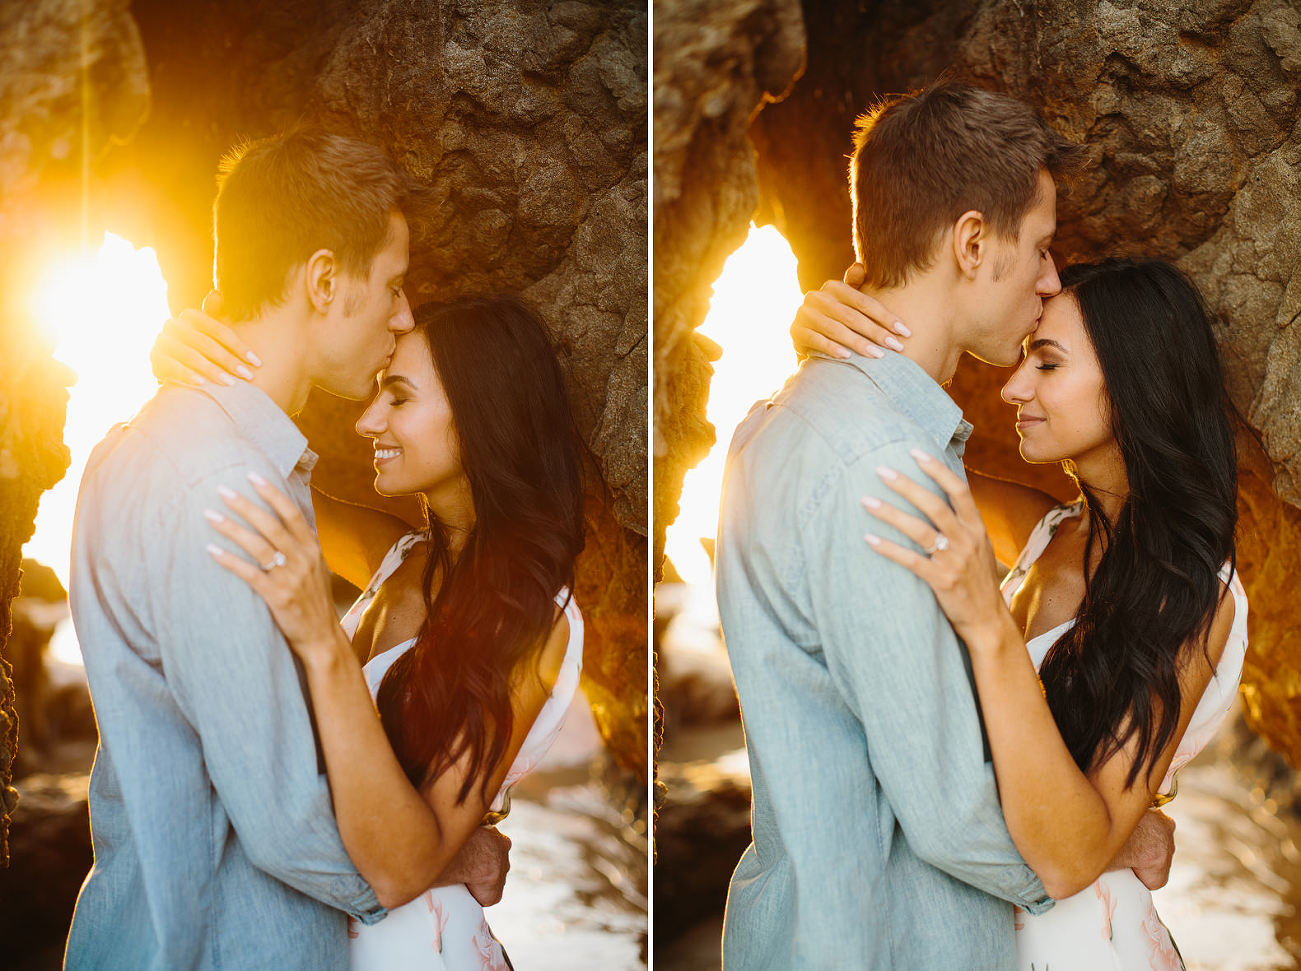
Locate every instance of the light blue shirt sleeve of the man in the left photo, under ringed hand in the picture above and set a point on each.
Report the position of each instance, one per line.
(245, 696)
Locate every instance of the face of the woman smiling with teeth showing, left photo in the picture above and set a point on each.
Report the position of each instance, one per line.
(410, 425)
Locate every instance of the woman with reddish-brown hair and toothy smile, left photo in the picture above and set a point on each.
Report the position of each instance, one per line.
(470, 640)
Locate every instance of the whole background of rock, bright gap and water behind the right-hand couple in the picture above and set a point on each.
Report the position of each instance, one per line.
(1191, 113)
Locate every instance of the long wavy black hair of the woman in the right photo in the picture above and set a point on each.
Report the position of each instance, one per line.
(1116, 675)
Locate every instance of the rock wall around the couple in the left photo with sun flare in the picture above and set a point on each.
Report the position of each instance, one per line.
(526, 123)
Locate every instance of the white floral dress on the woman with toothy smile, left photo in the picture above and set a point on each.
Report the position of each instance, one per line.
(446, 927)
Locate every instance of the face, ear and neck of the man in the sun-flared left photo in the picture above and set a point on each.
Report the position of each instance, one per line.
(366, 320)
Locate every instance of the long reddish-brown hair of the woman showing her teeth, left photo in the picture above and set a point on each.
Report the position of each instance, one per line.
(451, 693)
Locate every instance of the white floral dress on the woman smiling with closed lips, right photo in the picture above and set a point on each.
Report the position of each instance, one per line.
(1113, 925)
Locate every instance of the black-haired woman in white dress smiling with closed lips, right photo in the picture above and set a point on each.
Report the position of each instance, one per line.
(1116, 646)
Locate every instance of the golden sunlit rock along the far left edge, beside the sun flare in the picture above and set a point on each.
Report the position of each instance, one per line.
(44, 140)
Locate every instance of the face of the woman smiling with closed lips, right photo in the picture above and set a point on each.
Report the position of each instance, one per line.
(1061, 400)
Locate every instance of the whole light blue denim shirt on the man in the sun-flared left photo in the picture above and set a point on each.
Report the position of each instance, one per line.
(215, 841)
